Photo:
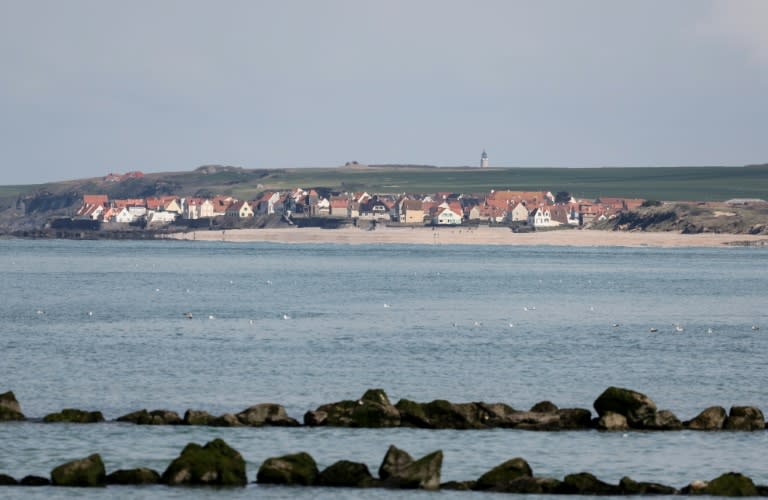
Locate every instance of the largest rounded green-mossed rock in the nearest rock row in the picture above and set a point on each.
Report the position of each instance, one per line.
(215, 464)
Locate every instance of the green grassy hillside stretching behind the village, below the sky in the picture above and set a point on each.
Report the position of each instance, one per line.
(659, 183)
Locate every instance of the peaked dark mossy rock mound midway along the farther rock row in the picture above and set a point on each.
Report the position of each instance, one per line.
(373, 409)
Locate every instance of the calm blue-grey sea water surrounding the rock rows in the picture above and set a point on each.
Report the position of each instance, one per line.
(103, 325)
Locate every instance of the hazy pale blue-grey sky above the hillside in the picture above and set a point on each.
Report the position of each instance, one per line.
(89, 87)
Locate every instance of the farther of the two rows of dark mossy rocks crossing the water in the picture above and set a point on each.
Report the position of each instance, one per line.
(618, 409)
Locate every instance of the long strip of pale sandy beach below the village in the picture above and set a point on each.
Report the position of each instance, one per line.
(471, 236)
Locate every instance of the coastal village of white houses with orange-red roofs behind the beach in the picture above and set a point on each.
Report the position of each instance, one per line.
(533, 209)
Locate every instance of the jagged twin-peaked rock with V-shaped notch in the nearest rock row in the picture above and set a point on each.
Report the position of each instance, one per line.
(399, 470)
